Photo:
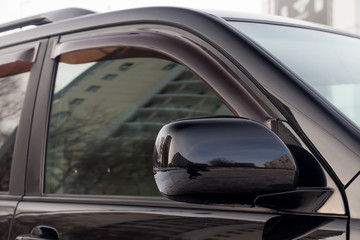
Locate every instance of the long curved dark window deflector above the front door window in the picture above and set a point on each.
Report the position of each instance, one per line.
(165, 45)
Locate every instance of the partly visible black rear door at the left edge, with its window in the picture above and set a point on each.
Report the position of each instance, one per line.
(19, 71)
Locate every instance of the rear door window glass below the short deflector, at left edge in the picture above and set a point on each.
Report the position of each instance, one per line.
(12, 93)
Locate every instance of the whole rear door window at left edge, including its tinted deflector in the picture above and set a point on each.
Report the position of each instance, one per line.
(14, 75)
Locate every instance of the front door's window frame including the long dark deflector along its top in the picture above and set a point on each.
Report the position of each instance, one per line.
(201, 61)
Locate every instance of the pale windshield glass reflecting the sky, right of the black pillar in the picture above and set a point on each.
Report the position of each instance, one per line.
(328, 62)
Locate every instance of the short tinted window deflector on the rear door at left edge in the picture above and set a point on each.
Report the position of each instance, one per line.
(17, 62)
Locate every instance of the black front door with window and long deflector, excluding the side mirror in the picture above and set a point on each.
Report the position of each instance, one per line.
(102, 98)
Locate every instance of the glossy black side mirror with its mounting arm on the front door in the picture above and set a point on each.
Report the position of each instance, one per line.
(228, 160)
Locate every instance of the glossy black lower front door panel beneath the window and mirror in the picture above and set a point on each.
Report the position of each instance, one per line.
(129, 222)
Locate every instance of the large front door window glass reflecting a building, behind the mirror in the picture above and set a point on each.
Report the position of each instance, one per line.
(107, 109)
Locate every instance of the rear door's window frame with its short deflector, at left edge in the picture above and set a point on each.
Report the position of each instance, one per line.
(22, 58)
